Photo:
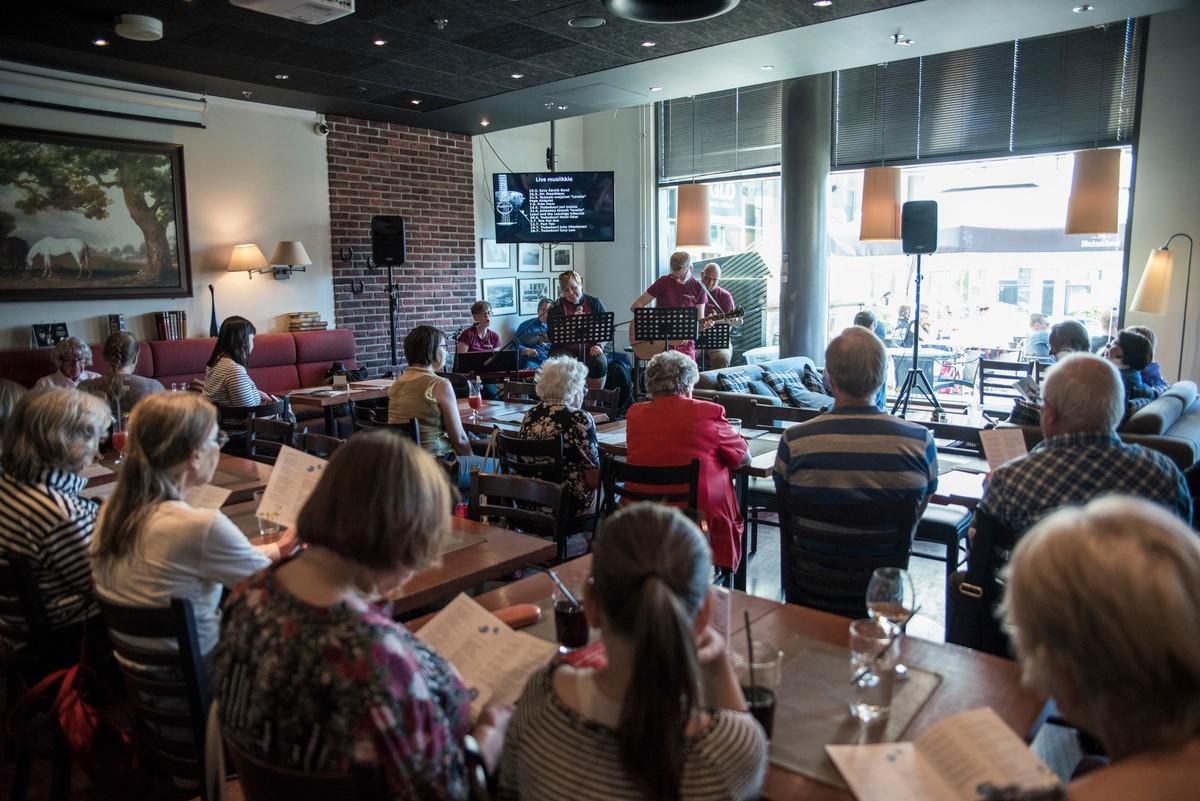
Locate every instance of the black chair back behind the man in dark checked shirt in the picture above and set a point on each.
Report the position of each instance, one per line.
(974, 598)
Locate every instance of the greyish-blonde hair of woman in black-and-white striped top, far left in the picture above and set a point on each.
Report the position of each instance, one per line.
(53, 430)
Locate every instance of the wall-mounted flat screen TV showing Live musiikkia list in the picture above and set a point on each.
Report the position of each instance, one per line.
(554, 207)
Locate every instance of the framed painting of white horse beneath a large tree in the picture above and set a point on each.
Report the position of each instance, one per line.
(83, 218)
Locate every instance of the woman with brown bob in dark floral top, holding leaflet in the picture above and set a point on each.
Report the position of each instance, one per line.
(314, 676)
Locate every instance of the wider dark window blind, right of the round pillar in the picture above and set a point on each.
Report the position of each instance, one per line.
(1064, 92)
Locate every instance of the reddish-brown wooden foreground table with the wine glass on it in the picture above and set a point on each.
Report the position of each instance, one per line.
(969, 679)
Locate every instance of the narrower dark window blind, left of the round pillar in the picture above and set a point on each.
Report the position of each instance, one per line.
(719, 134)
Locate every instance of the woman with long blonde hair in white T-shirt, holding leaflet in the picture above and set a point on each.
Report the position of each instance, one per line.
(152, 546)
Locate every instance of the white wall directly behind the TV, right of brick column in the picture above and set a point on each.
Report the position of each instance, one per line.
(520, 150)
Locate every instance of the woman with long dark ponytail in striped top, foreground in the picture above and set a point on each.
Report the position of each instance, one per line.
(664, 721)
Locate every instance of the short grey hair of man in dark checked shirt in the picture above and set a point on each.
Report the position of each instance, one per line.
(1087, 393)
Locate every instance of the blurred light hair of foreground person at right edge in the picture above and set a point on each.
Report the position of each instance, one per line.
(1106, 611)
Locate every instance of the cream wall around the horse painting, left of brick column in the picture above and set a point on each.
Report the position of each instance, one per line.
(255, 174)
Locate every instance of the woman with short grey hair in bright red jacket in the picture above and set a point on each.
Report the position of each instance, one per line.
(675, 429)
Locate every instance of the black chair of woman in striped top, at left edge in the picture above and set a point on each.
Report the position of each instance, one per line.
(27, 666)
